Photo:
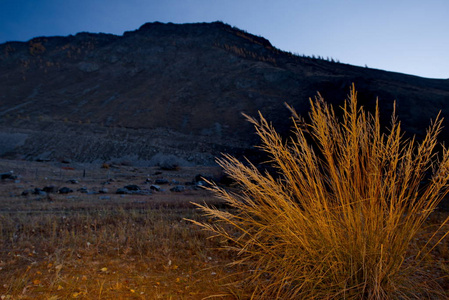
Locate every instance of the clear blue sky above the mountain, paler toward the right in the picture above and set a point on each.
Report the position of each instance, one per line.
(406, 36)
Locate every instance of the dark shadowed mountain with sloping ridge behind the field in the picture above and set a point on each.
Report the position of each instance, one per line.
(177, 91)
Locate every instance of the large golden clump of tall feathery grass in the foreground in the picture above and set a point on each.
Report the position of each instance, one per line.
(341, 217)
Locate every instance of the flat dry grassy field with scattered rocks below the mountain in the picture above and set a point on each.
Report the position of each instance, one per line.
(95, 244)
